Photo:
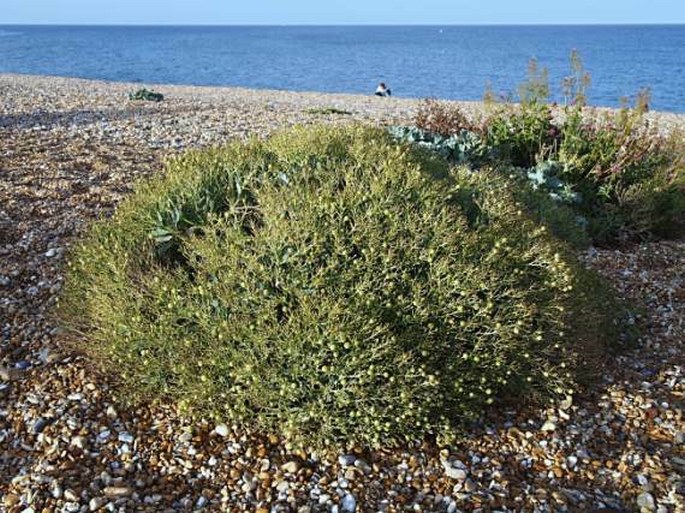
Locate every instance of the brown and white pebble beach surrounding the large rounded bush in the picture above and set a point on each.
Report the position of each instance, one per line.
(71, 149)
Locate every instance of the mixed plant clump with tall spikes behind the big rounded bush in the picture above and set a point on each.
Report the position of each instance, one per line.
(621, 177)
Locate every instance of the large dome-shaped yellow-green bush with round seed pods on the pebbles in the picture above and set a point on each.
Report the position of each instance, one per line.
(330, 285)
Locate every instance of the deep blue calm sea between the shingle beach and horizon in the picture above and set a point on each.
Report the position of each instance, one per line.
(455, 62)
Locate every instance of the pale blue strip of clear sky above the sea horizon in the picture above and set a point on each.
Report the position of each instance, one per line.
(268, 12)
